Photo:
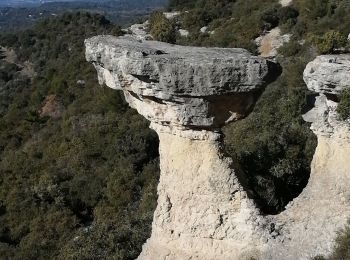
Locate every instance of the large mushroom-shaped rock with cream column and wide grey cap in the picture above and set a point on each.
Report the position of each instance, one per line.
(188, 94)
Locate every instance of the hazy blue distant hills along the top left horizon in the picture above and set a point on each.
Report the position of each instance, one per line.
(16, 14)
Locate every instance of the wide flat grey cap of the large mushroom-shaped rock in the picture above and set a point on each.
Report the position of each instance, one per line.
(180, 86)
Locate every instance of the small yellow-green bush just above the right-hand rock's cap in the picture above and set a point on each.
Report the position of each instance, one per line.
(330, 42)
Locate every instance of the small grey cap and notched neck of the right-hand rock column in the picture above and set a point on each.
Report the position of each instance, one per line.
(327, 76)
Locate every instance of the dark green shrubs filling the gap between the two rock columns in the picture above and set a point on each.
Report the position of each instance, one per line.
(273, 145)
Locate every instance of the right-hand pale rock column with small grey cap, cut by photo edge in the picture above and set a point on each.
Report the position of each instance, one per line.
(310, 222)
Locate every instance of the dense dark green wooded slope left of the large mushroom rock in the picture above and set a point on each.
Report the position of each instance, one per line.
(80, 183)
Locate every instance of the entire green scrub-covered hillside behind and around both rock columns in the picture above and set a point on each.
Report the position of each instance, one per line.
(79, 169)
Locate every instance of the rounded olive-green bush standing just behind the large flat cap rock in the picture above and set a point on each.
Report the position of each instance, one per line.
(161, 28)
